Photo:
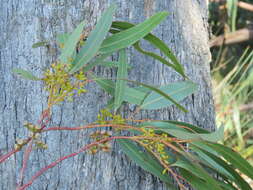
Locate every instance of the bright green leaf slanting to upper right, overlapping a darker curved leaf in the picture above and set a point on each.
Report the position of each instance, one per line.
(130, 36)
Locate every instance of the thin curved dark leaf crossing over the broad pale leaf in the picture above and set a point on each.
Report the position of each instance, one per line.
(161, 93)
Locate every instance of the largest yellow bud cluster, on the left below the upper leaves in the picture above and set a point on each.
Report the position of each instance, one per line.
(60, 84)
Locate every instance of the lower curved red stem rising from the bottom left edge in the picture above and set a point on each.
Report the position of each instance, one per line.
(53, 164)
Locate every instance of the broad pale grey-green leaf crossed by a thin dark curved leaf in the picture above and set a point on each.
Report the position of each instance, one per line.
(176, 91)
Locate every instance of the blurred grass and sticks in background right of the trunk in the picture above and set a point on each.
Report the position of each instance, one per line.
(231, 22)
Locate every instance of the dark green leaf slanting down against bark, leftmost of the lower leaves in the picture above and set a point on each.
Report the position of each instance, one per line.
(144, 160)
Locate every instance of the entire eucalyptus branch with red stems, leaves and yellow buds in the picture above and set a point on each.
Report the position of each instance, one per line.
(65, 78)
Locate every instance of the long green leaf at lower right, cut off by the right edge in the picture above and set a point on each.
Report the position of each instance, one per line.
(234, 158)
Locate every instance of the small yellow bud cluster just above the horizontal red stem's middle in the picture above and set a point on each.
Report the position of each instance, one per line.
(106, 117)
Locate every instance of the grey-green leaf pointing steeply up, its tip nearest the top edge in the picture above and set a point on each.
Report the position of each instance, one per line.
(95, 39)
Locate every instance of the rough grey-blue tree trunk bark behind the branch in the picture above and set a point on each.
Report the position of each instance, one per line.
(28, 21)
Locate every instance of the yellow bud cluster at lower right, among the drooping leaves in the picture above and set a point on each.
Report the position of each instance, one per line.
(154, 145)
